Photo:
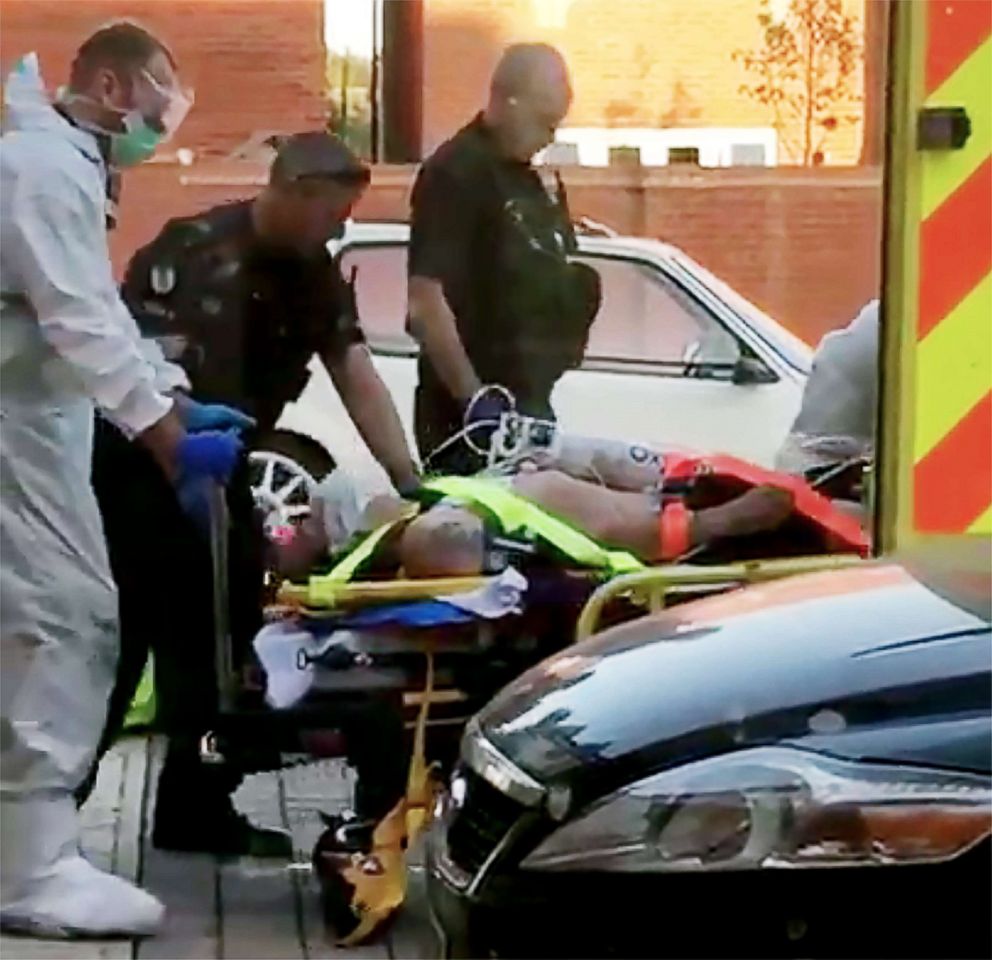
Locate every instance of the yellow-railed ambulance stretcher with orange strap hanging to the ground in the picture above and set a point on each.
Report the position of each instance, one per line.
(408, 645)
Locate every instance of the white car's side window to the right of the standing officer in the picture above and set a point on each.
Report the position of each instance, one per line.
(646, 317)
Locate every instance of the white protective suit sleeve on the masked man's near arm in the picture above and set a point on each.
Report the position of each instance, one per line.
(60, 251)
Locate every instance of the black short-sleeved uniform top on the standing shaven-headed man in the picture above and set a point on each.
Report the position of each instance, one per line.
(496, 239)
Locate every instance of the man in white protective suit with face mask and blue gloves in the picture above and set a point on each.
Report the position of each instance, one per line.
(68, 345)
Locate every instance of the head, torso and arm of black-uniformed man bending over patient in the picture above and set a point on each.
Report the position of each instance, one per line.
(246, 293)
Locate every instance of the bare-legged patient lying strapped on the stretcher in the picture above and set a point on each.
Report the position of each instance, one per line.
(656, 507)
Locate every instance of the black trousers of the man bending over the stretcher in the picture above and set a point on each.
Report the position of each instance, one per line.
(162, 566)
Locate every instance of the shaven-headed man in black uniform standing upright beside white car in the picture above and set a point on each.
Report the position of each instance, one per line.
(495, 296)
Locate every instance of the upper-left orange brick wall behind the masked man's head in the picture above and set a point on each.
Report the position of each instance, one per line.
(255, 64)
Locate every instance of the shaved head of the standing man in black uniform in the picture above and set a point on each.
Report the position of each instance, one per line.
(529, 95)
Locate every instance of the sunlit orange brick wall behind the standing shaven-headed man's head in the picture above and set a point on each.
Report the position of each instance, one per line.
(634, 62)
